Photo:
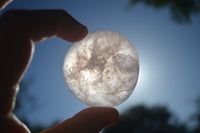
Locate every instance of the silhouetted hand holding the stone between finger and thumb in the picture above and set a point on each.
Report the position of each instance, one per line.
(19, 30)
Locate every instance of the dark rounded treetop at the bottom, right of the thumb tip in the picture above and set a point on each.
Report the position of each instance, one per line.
(144, 119)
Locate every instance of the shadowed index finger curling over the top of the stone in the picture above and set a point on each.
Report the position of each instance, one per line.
(18, 30)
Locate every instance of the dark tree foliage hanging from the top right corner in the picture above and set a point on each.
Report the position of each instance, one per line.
(181, 10)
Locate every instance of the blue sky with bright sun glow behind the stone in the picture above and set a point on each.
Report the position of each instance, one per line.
(168, 54)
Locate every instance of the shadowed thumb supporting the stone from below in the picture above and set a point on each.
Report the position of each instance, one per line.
(90, 120)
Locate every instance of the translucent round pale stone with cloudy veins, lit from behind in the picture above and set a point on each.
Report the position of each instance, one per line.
(102, 69)
